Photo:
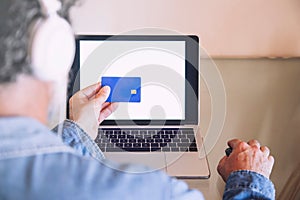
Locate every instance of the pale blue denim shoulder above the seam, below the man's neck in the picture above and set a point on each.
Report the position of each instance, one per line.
(22, 136)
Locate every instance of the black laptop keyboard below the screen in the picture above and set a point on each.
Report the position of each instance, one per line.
(146, 140)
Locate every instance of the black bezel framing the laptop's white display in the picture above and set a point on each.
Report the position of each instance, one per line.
(191, 75)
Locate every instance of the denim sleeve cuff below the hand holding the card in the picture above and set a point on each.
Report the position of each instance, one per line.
(75, 137)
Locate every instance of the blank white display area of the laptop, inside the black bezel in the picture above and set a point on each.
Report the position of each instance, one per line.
(160, 64)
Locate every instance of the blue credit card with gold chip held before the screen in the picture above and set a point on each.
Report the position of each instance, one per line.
(123, 89)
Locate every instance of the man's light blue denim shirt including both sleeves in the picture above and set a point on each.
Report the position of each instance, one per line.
(36, 163)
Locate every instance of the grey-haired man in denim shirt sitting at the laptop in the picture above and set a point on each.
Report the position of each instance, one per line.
(36, 163)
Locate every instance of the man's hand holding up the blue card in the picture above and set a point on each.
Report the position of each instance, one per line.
(88, 108)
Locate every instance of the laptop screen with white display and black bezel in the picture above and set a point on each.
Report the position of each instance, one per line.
(162, 65)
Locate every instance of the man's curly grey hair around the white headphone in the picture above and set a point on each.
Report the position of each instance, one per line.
(16, 16)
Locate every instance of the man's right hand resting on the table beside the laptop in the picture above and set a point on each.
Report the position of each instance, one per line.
(246, 156)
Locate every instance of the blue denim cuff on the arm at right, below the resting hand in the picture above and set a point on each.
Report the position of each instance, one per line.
(244, 184)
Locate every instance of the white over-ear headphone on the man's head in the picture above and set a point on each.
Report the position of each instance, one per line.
(52, 43)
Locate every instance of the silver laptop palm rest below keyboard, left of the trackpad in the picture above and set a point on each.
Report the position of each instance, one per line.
(156, 161)
